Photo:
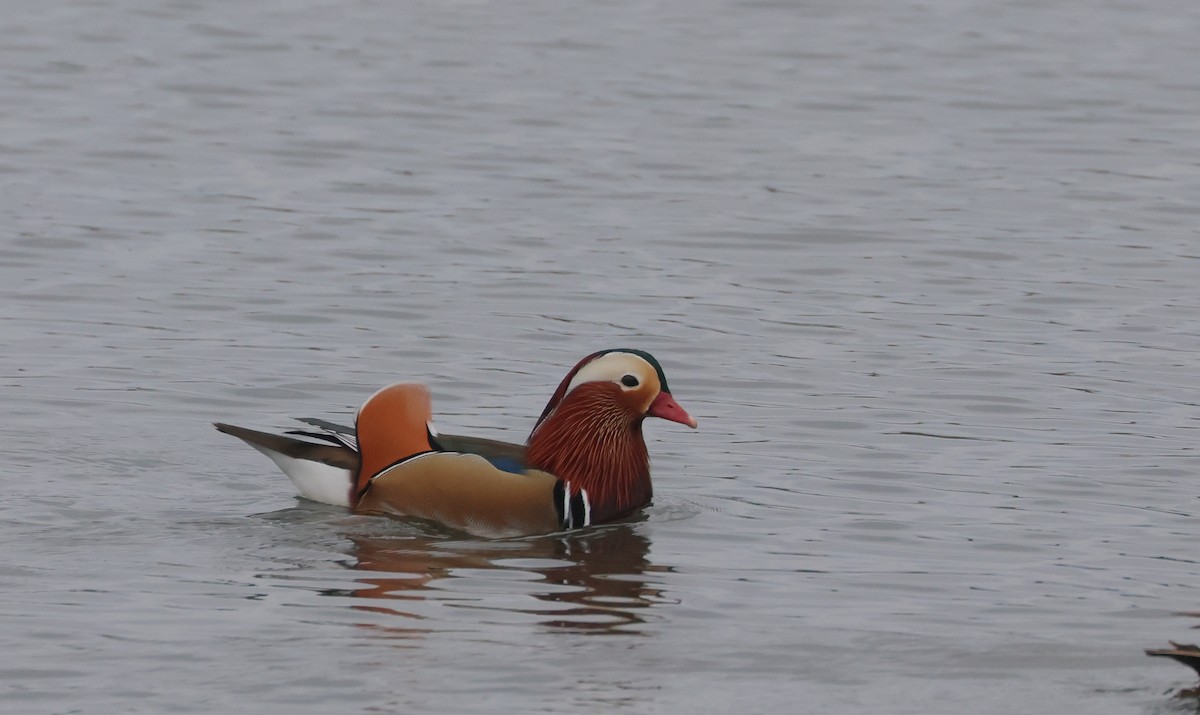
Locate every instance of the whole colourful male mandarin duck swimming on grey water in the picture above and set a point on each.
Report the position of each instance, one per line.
(585, 462)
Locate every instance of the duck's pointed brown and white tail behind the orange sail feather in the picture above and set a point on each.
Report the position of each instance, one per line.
(323, 472)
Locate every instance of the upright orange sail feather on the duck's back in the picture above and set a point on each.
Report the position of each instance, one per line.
(393, 425)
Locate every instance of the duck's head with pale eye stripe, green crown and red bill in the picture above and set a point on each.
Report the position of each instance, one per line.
(626, 378)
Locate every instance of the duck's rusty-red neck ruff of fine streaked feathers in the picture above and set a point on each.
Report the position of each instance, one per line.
(592, 442)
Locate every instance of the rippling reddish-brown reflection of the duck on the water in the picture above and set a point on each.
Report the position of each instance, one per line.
(591, 581)
